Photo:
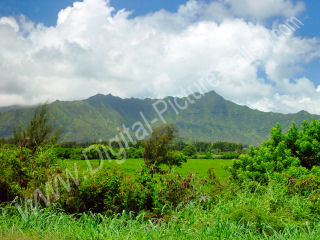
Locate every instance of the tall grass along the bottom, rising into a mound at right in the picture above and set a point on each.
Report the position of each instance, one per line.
(265, 214)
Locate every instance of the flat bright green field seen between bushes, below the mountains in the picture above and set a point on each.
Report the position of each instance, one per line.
(131, 166)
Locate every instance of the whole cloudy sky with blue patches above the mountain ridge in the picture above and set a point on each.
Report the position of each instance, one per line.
(261, 53)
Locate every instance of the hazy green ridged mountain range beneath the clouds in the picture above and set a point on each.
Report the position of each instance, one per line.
(206, 118)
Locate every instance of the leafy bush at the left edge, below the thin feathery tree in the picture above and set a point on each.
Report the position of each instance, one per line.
(22, 171)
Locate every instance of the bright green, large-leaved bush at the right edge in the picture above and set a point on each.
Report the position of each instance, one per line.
(283, 151)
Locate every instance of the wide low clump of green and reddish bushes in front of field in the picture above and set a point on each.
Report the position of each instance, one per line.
(111, 192)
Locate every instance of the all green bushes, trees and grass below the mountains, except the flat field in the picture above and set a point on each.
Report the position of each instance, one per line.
(272, 191)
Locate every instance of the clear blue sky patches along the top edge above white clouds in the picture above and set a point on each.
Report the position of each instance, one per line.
(46, 11)
